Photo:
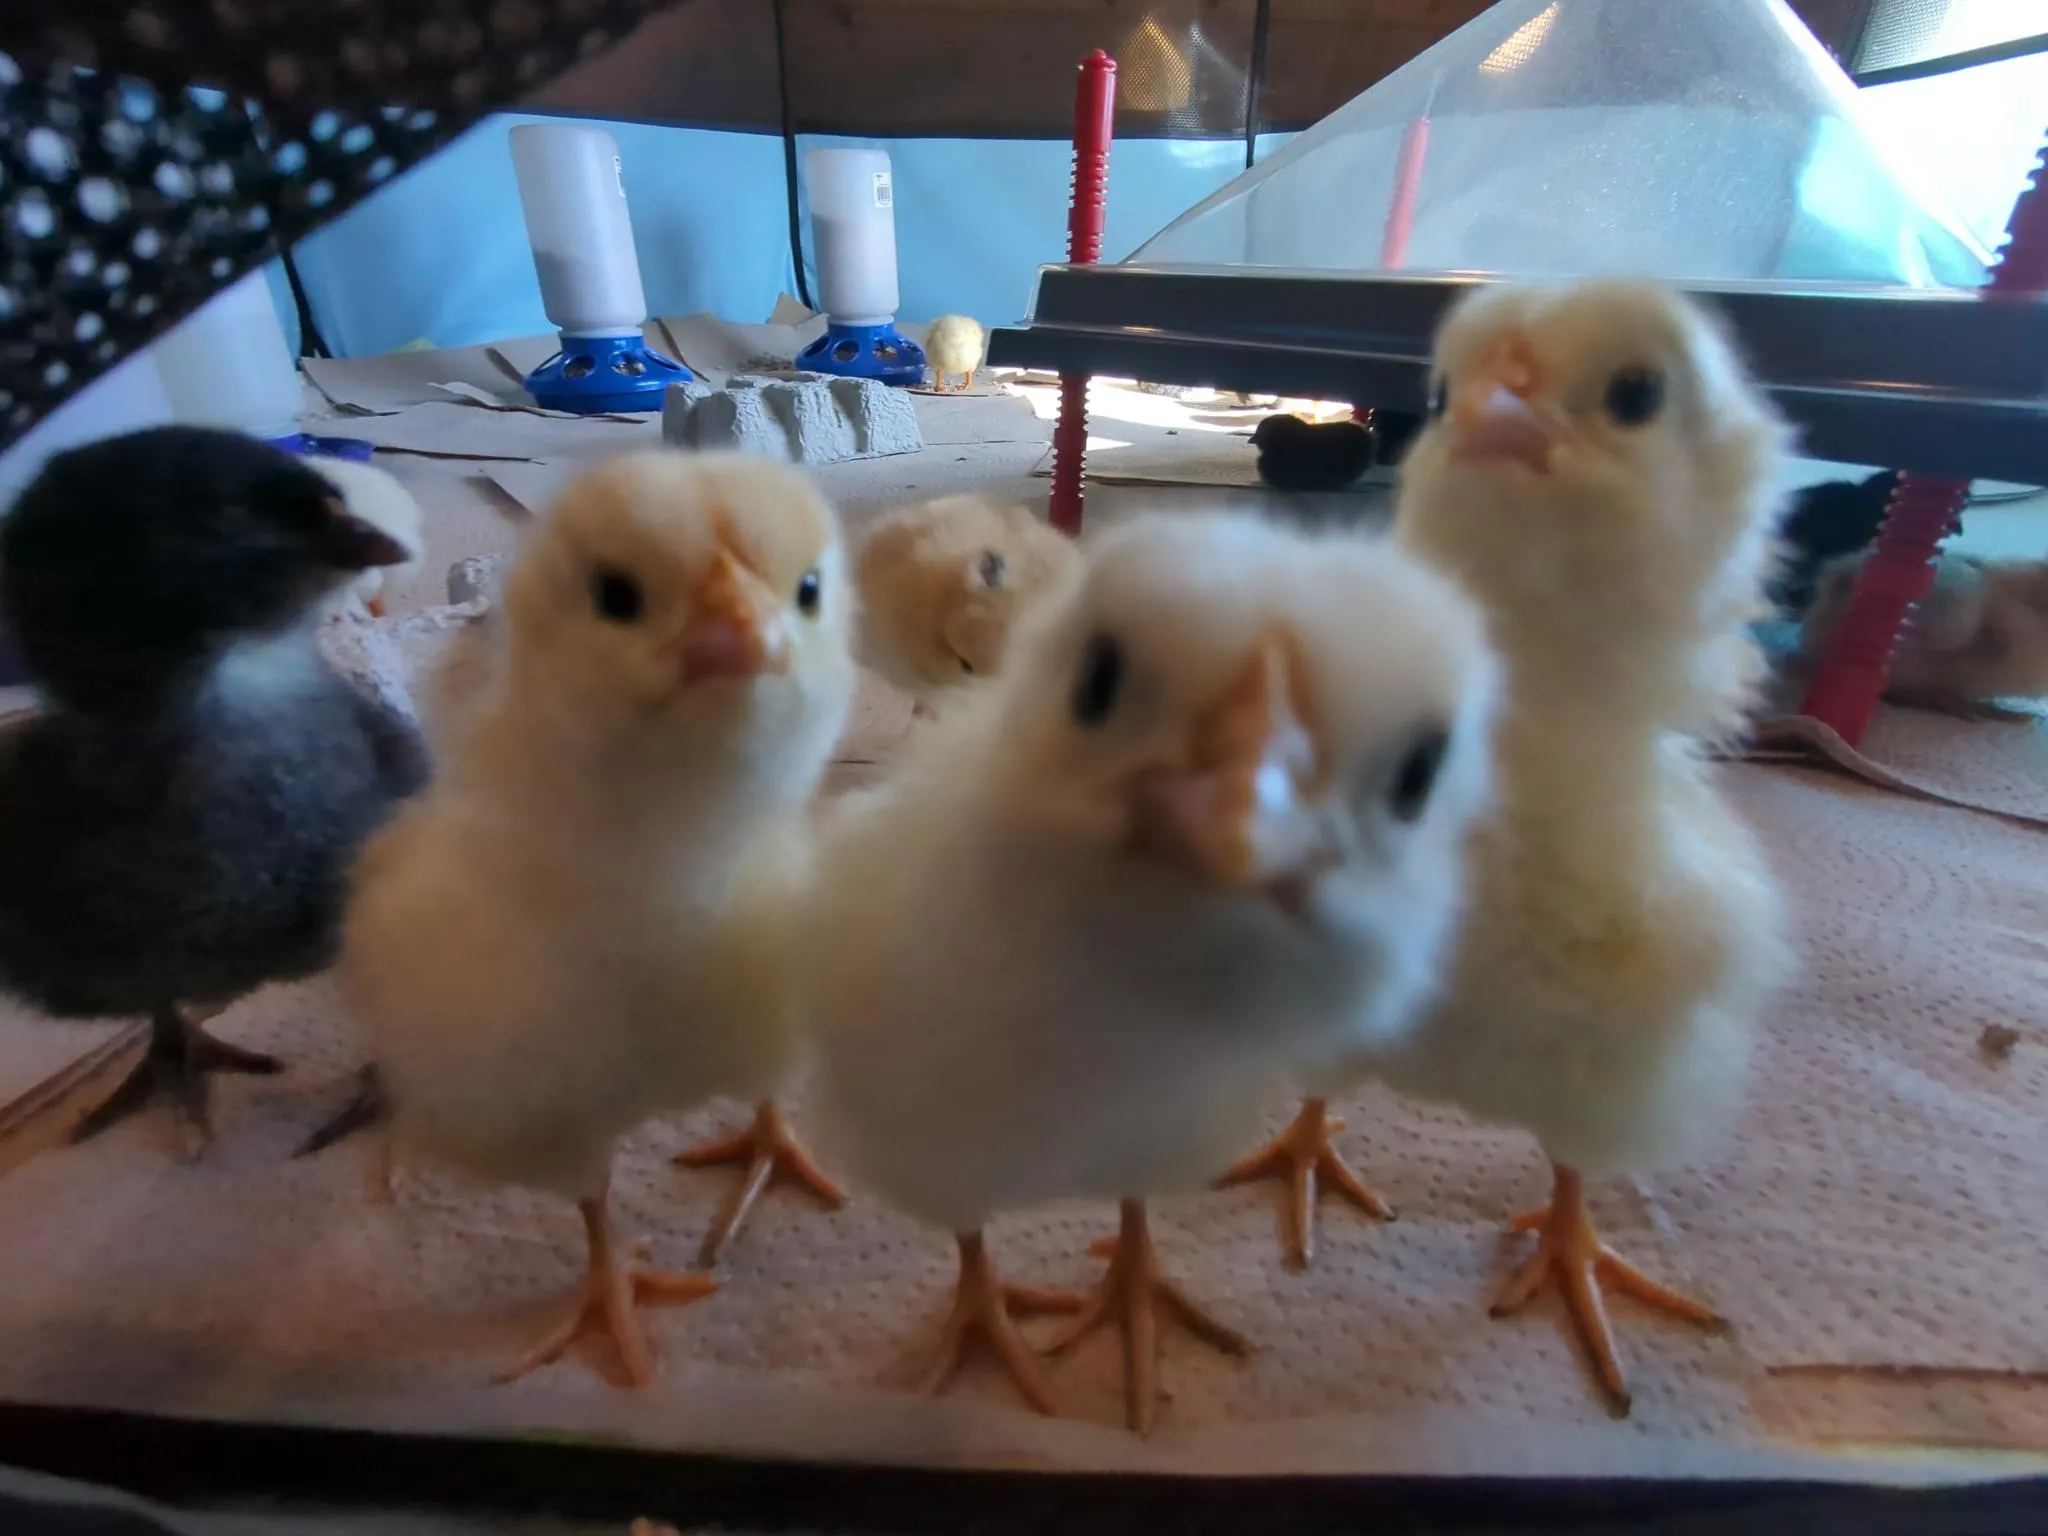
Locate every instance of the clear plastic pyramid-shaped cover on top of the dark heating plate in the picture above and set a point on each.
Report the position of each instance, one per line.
(1703, 142)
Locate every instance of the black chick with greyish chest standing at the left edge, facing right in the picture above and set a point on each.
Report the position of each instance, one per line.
(179, 822)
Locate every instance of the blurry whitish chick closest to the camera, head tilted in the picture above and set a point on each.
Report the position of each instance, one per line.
(1201, 830)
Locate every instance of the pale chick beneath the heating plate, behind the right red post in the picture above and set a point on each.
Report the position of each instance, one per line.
(1981, 634)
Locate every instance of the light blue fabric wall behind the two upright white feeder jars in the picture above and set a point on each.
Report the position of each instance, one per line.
(441, 255)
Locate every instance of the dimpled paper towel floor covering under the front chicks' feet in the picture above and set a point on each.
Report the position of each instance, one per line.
(1877, 1230)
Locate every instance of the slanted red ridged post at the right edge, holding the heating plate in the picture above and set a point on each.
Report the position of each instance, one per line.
(1924, 511)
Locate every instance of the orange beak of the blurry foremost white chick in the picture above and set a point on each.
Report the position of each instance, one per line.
(1242, 812)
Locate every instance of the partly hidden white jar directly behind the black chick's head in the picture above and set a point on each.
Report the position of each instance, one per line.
(230, 366)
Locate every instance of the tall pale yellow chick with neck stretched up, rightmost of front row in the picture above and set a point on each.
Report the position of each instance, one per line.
(1601, 472)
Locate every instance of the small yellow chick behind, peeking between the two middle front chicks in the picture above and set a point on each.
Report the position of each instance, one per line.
(945, 583)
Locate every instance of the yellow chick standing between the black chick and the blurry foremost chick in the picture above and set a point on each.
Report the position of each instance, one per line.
(589, 919)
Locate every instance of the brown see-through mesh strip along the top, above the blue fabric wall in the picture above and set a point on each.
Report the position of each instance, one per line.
(1005, 69)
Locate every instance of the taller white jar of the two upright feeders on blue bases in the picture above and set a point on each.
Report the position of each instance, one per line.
(572, 187)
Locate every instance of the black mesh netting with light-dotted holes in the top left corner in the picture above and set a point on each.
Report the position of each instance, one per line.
(155, 153)
